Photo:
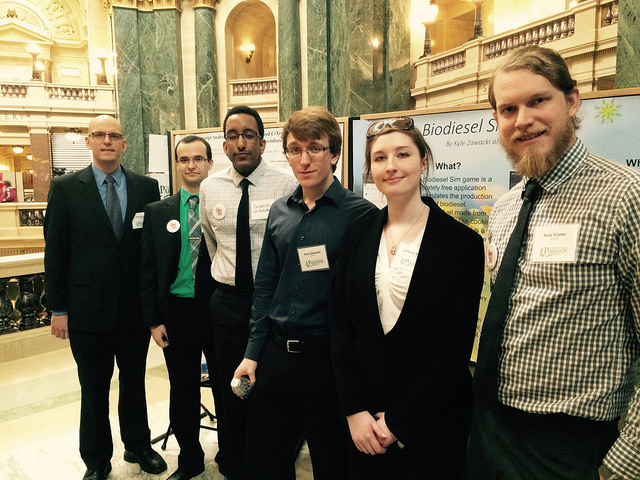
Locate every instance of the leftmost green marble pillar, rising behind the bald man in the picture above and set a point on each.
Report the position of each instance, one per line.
(149, 78)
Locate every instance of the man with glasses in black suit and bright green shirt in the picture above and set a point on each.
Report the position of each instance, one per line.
(176, 286)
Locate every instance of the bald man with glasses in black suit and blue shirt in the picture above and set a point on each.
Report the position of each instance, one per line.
(92, 275)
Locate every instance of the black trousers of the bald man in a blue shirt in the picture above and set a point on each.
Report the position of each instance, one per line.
(94, 353)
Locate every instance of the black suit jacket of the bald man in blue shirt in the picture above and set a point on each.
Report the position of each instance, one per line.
(88, 272)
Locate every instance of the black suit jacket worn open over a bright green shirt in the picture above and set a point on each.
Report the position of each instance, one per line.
(160, 257)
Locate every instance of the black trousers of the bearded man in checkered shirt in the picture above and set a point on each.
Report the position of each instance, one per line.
(509, 444)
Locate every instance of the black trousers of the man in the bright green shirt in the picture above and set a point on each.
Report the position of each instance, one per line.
(189, 335)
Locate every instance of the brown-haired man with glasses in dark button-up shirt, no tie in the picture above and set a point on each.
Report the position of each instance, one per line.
(295, 391)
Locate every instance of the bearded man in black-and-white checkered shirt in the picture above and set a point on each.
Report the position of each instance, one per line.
(571, 341)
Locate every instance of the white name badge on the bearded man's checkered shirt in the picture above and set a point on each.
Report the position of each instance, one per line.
(555, 243)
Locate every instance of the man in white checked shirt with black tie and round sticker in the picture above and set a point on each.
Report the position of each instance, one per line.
(221, 196)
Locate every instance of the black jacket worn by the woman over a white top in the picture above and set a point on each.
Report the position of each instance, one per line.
(418, 373)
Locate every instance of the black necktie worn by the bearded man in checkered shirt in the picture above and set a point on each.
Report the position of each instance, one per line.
(486, 374)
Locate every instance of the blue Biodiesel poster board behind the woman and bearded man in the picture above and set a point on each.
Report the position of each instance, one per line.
(471, 171)
